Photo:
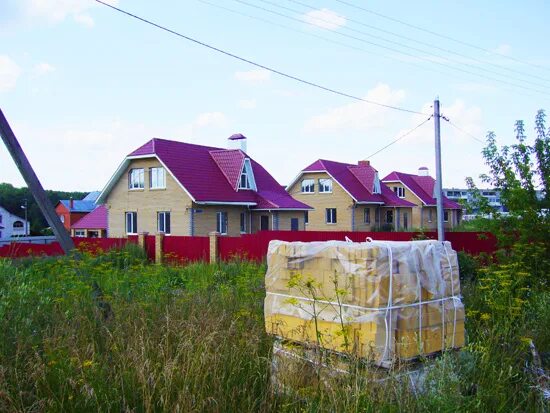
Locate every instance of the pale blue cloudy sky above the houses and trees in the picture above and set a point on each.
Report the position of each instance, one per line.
(83, 85)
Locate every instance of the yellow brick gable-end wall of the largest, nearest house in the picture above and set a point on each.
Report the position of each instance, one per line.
(147, 202)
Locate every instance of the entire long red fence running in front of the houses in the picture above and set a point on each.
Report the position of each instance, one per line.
(180, 249)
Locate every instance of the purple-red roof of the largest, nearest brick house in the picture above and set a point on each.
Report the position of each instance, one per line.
(211, 175)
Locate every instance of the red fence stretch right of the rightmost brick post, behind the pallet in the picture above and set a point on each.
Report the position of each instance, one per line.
(254, 246)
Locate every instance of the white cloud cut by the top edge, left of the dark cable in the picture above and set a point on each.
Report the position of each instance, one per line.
(56, 11)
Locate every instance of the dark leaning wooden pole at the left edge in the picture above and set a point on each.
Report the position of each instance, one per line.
(34, 184)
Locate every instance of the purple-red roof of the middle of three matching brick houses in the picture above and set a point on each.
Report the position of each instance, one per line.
(358, 181)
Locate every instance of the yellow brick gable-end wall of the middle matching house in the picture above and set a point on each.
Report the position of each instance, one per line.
(338, 199)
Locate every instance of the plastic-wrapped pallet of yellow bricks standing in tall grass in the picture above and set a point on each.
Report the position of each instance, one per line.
(378, 300)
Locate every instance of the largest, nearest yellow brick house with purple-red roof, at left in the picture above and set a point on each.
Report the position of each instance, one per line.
(185, 189)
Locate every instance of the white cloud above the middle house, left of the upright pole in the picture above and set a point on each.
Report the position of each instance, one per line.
(358, 116)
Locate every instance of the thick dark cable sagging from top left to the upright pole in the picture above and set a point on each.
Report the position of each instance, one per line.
(242, 59)
